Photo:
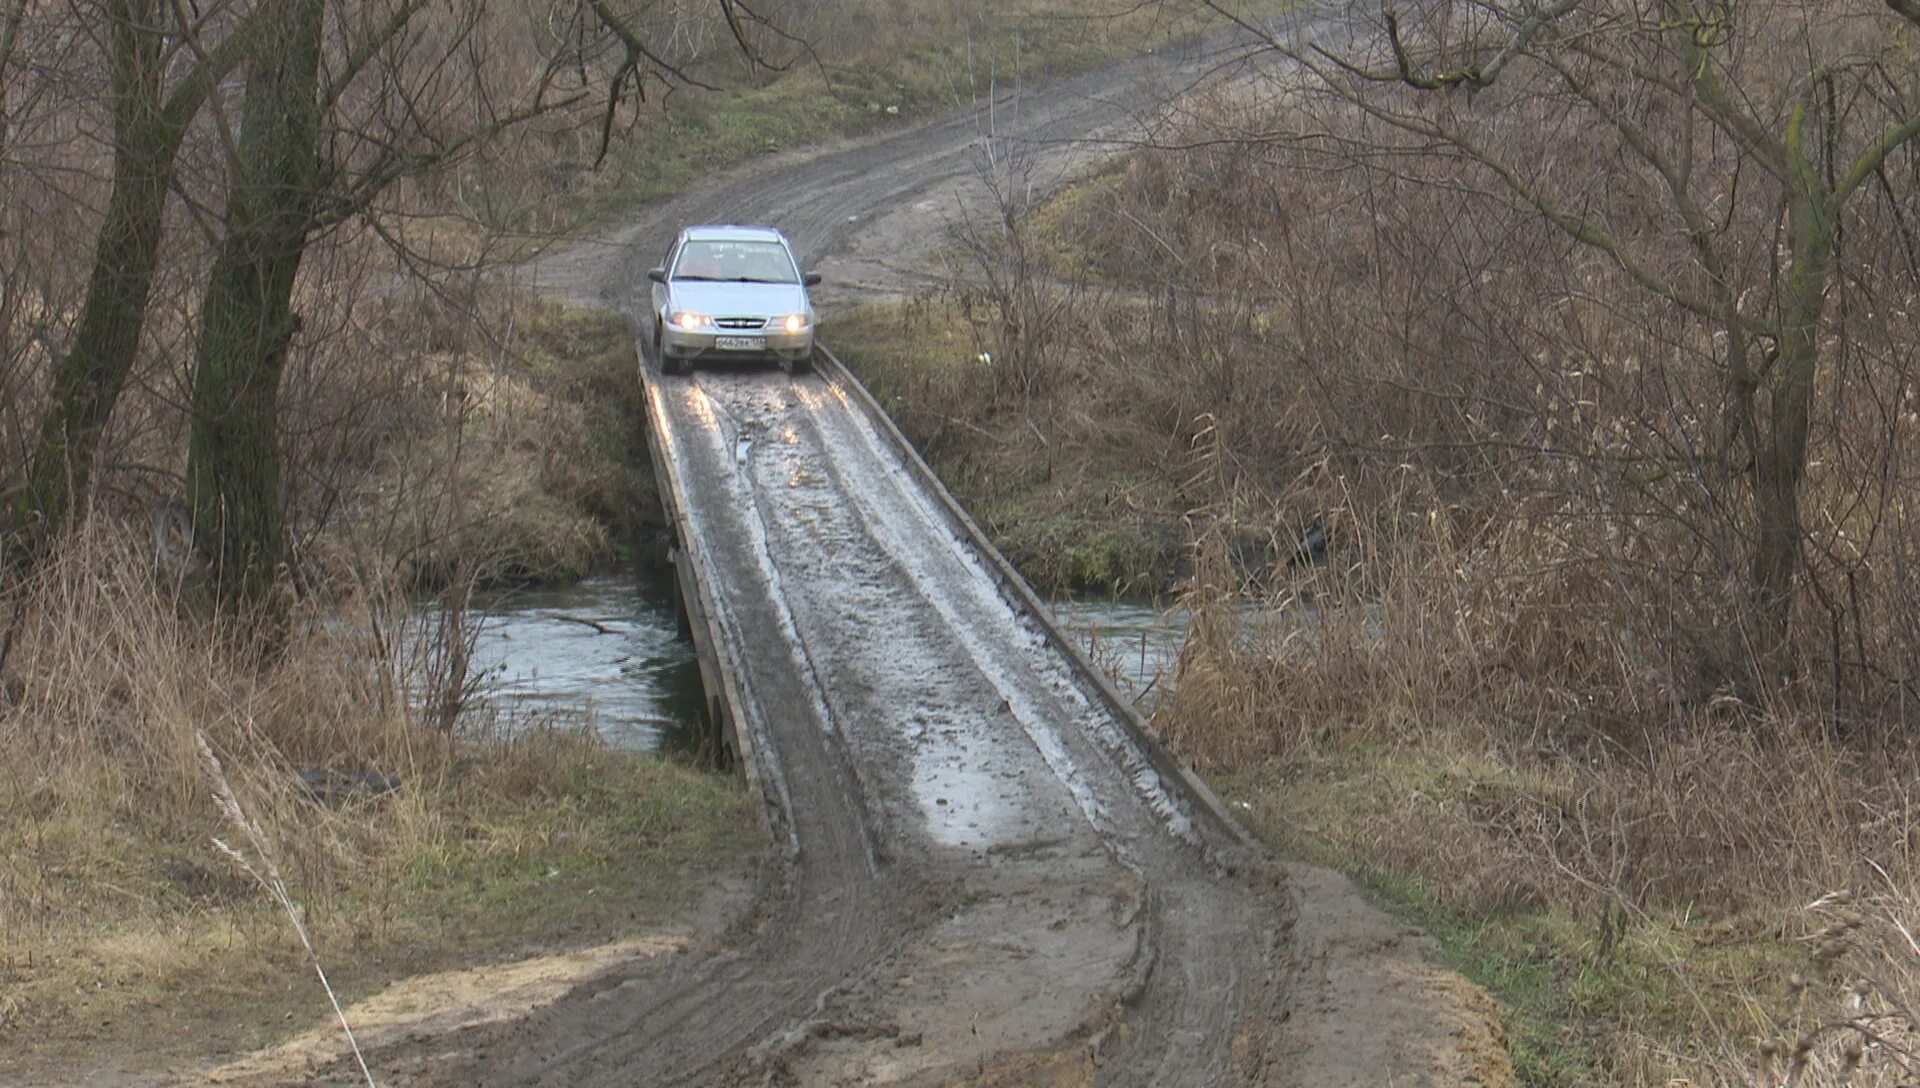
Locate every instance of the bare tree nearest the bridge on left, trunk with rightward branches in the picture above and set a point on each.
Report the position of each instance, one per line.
(327, 128)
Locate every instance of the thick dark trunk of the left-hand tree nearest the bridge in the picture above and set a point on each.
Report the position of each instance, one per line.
(247, 319)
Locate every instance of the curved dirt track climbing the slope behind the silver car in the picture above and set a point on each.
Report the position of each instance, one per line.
(871, 212)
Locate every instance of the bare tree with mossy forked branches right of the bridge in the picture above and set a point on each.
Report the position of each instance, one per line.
(1748, 143)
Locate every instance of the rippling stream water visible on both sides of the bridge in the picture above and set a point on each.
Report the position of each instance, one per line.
(606, 655)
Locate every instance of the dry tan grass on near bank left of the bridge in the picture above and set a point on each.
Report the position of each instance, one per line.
(114, 903)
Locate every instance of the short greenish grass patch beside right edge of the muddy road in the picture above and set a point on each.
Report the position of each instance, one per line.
(1591, 997)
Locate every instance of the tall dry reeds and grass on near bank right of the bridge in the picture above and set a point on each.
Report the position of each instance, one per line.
(1633, 886)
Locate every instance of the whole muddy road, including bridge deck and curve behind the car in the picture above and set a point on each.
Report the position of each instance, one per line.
(980, 874)
